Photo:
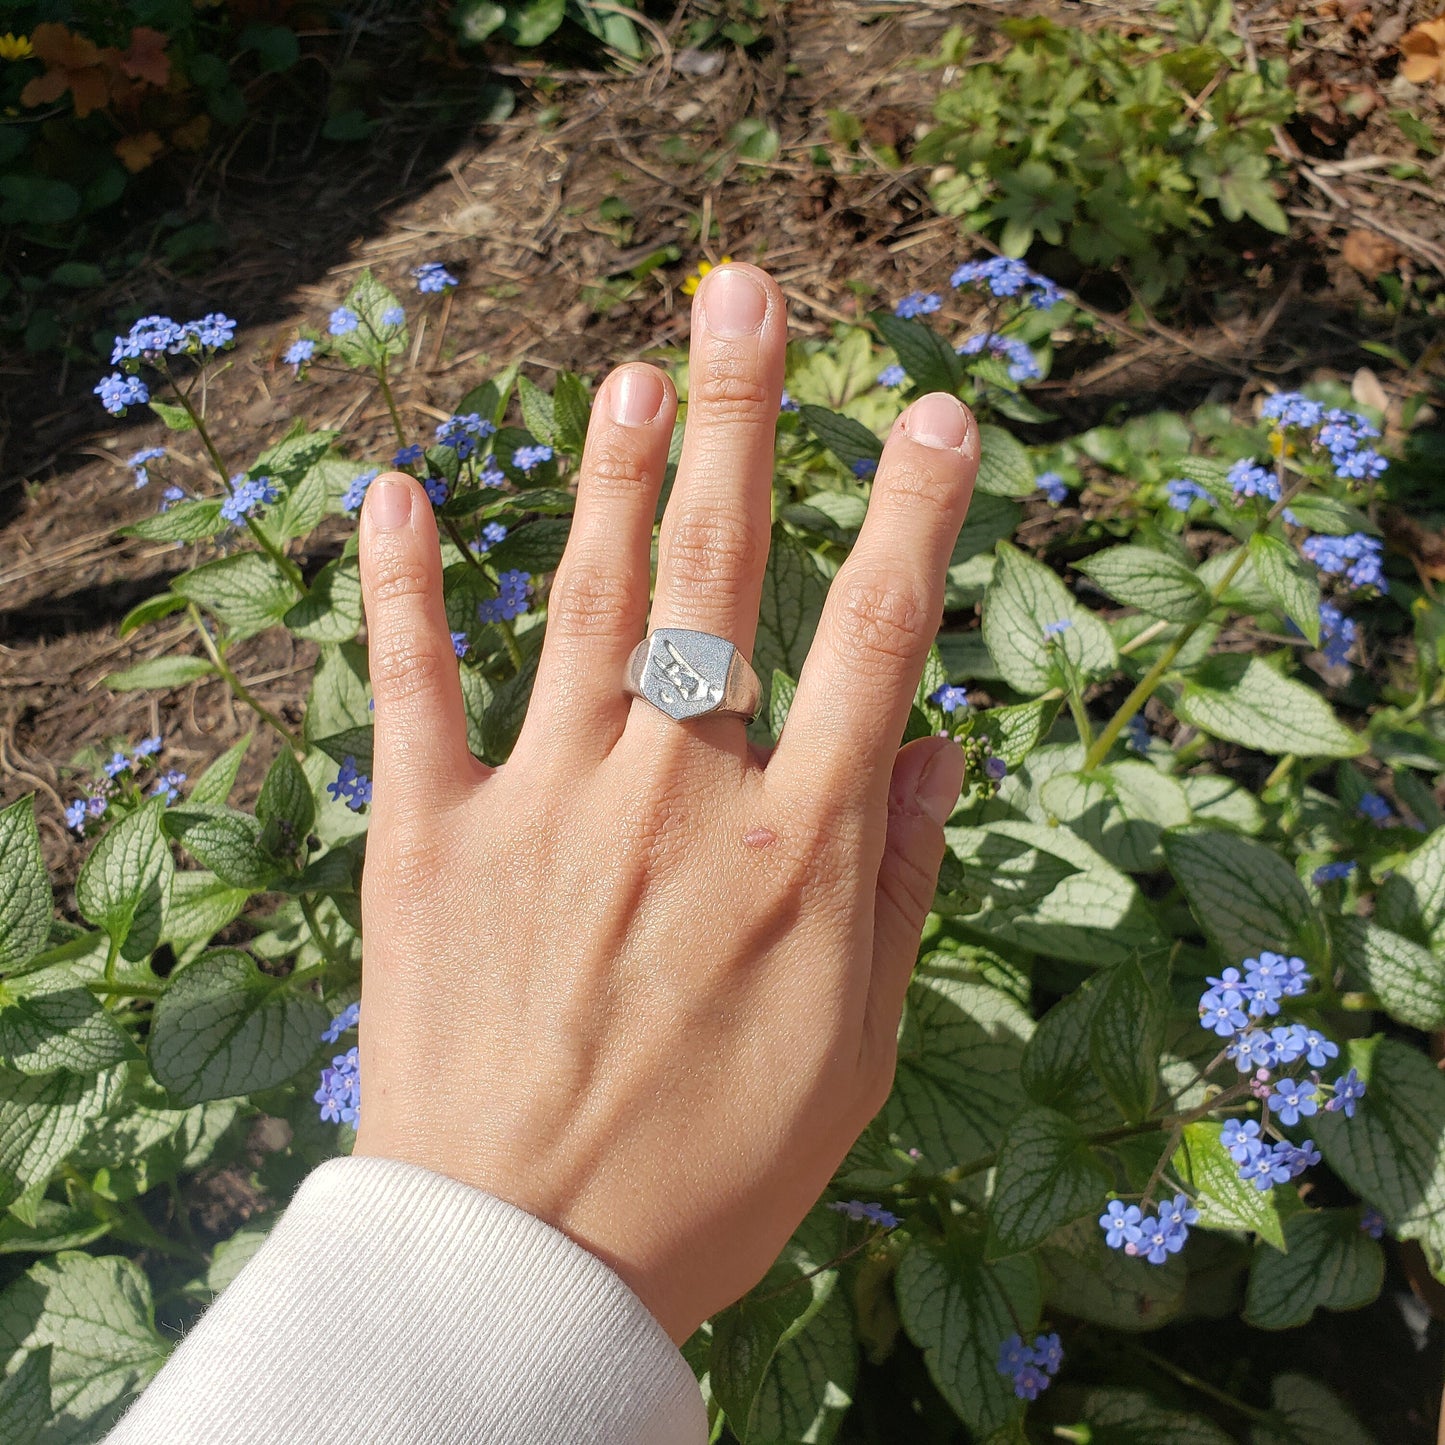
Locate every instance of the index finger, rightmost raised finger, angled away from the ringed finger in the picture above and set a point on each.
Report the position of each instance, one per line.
(884, 609)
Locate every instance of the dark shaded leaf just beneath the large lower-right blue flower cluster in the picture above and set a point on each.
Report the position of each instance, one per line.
(1084, 1278)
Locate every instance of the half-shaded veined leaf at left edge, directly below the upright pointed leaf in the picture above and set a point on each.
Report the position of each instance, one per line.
(51, 1021)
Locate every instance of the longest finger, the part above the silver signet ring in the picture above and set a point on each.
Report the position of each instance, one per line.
(713, 547)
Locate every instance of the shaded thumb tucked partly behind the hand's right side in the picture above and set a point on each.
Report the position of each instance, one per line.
(928, 777)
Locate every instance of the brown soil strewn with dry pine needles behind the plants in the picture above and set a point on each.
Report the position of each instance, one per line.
(517, 212)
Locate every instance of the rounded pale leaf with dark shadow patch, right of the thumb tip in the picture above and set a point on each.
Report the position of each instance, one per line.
(1121, 810)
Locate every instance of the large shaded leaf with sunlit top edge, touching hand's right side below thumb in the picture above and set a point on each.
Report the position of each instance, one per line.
(957, 1086)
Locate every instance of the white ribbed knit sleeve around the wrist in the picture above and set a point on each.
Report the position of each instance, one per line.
(394, 1304)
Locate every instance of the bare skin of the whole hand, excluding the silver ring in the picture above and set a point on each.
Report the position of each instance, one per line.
(645, 980)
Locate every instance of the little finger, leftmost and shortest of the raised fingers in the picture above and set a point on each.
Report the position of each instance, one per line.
(421, 733)
